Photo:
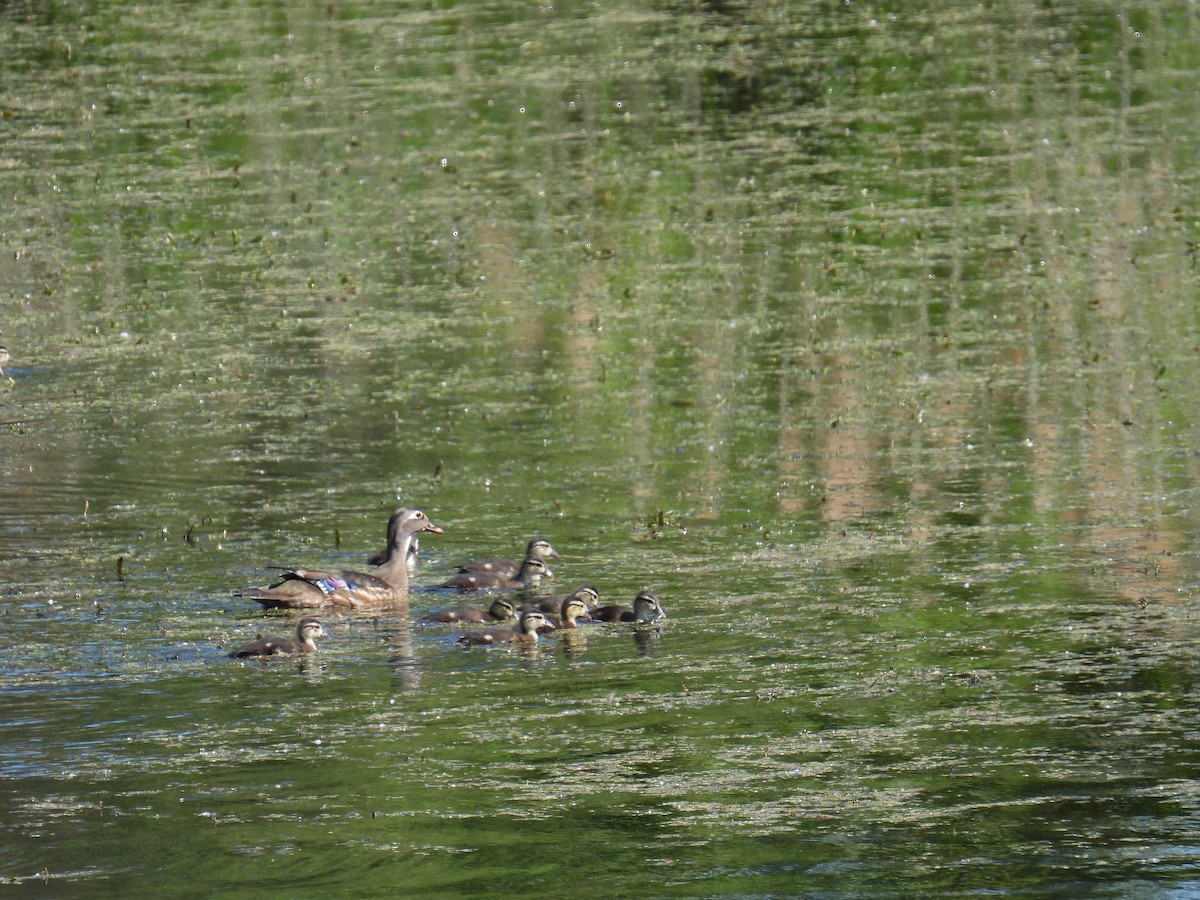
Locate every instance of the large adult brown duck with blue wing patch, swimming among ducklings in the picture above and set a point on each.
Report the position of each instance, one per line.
(388, 584)
